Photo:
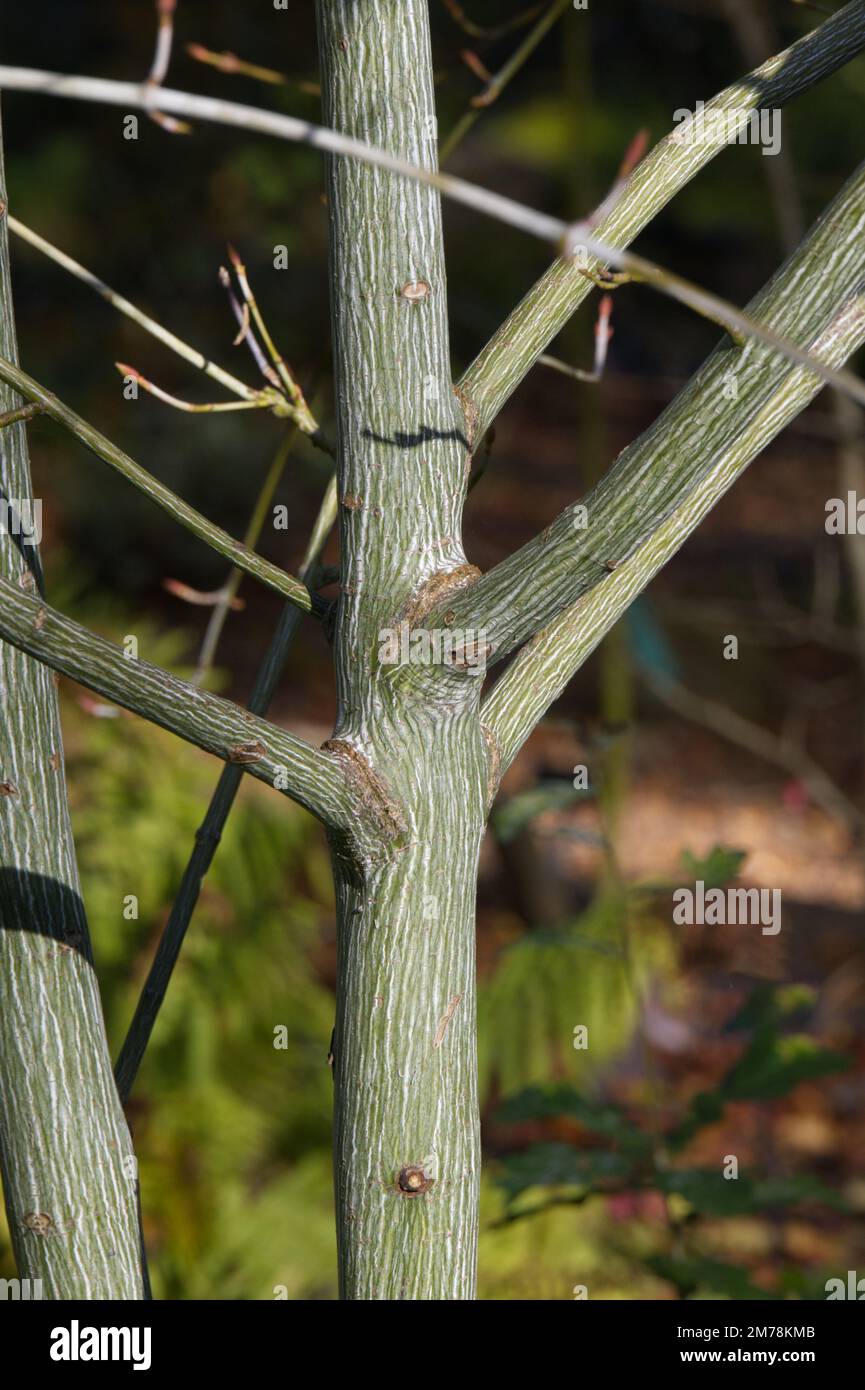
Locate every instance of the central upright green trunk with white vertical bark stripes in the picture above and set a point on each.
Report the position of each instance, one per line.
(407, 1124)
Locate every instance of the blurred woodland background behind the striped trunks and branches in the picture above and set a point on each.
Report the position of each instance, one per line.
(233, 1135)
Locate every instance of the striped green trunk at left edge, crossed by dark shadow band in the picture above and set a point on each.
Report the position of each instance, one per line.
(66, 1154)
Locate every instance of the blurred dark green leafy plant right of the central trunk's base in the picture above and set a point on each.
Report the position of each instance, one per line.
(639, 1154)
